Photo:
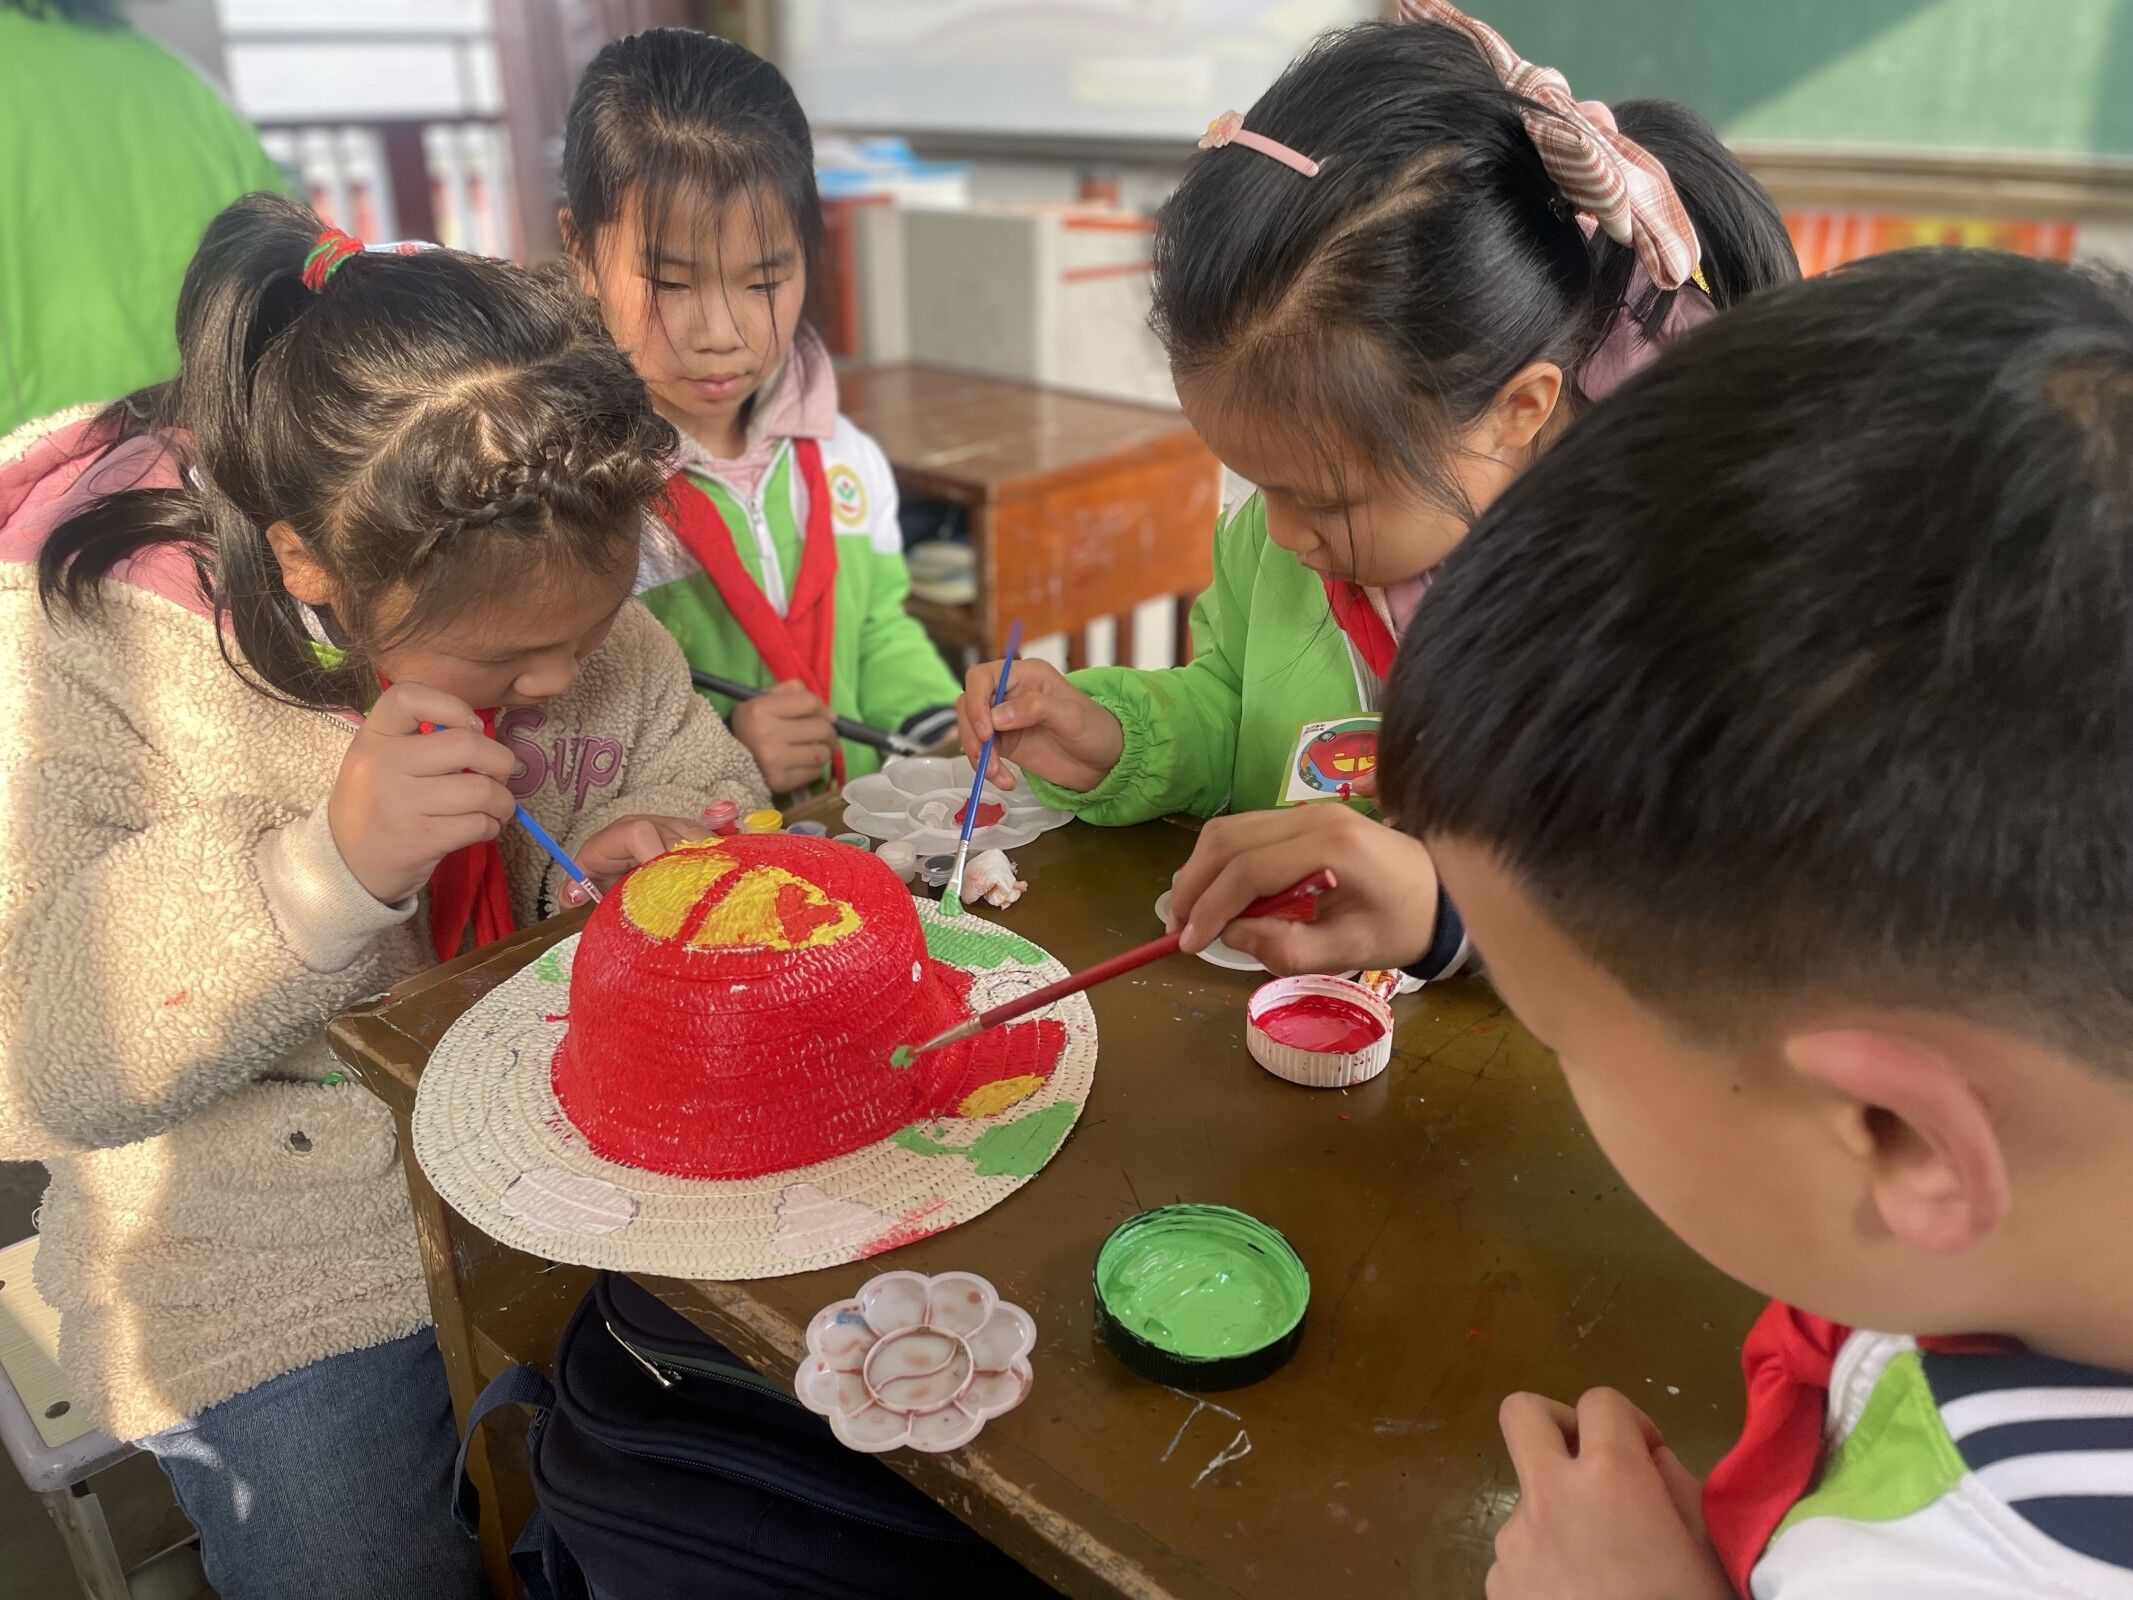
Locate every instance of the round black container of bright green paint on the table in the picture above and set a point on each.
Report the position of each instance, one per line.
(1200, 1296)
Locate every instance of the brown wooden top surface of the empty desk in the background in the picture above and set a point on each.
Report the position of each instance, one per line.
(987, 434)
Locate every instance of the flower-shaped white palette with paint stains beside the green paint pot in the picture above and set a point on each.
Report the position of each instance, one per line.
(916, 1362)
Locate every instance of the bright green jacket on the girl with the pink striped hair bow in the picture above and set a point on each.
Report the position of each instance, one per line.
(1221, 733)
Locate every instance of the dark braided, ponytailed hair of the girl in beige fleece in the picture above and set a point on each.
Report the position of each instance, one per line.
(432, 426)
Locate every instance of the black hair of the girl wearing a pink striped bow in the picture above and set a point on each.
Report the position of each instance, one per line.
(1432, 255)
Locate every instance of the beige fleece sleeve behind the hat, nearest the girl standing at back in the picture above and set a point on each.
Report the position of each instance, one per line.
(679, 756)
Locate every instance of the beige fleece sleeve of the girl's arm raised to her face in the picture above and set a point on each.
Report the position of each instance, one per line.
(155, 950)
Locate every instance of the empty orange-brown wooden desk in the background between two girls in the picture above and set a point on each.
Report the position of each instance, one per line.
(1080, 507)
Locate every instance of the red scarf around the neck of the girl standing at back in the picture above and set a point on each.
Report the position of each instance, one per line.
(799, 643)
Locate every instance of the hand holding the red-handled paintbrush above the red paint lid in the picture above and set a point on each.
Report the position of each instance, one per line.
(1383, 910)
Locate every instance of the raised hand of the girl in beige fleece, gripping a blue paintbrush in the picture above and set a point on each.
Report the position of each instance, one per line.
(404, 799)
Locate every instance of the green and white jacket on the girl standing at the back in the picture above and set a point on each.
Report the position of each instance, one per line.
(884, 671)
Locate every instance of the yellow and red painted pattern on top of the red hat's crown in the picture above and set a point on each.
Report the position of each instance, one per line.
(699, 895)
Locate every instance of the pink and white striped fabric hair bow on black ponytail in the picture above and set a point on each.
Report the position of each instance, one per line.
(1614, 180)
